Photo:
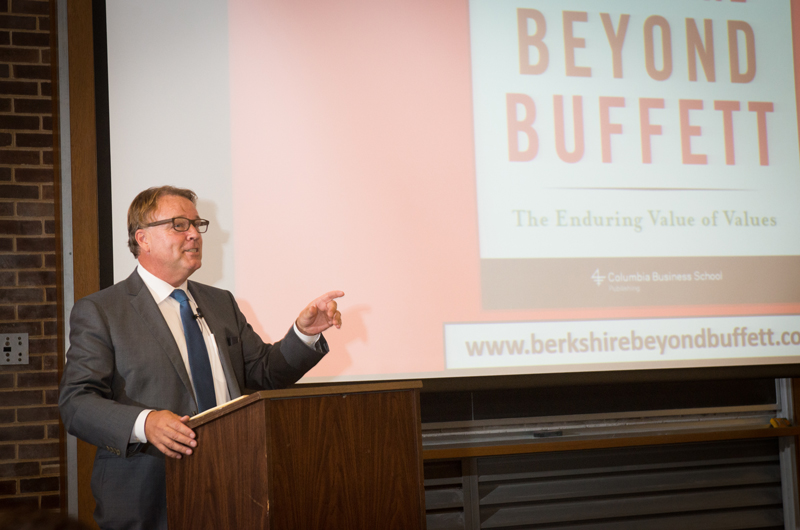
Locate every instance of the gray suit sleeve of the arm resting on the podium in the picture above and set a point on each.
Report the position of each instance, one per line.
(86, 399)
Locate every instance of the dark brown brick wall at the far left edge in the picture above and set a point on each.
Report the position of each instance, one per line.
(29, 429)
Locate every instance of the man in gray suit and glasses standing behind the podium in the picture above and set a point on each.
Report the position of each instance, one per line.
(155, 349)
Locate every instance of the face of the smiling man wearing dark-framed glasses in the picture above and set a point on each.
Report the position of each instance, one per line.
(168, 254)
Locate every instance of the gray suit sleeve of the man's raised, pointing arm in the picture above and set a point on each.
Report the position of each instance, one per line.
(272, 366)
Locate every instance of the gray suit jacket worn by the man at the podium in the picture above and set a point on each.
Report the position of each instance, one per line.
(123, 359)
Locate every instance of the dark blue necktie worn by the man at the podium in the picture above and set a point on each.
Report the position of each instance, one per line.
(198, 355)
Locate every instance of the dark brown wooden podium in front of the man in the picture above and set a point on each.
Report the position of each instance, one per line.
(339, 457)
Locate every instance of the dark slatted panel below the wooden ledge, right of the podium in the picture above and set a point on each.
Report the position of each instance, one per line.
(720, 485)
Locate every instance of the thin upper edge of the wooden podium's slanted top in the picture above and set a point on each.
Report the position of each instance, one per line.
(299, 392)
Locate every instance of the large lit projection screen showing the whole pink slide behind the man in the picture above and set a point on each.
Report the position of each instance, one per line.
(499, 187)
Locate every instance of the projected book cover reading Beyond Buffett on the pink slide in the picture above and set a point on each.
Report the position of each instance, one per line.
(660, 142)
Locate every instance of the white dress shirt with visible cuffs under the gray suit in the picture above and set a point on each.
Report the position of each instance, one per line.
(170, 309)
